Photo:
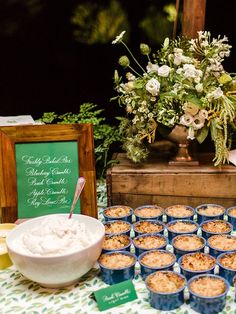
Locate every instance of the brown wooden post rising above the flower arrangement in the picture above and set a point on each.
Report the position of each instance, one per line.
(193, 17)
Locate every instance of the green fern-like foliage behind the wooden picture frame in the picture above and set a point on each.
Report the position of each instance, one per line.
(105, 135)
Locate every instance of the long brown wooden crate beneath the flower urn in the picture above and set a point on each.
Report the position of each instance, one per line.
(156, 182)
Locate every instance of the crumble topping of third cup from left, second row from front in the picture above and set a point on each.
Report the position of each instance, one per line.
(197, 261)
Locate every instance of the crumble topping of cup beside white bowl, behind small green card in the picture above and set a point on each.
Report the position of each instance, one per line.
(116, 260)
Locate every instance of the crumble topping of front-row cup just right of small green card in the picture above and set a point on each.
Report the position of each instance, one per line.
(165, 282)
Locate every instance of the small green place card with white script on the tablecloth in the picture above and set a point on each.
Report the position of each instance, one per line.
(115, 295)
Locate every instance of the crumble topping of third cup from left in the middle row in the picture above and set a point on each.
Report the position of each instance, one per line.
(188, 243)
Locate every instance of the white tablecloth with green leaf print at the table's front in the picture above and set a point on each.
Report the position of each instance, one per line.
(19, 295)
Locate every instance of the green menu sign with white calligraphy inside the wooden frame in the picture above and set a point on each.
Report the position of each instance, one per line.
(46, 177)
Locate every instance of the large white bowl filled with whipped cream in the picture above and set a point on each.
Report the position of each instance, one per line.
(55, 251)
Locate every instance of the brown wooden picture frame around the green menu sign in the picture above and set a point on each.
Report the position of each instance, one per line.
(12, 135)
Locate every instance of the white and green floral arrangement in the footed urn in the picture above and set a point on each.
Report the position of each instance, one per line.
(183, 83)
